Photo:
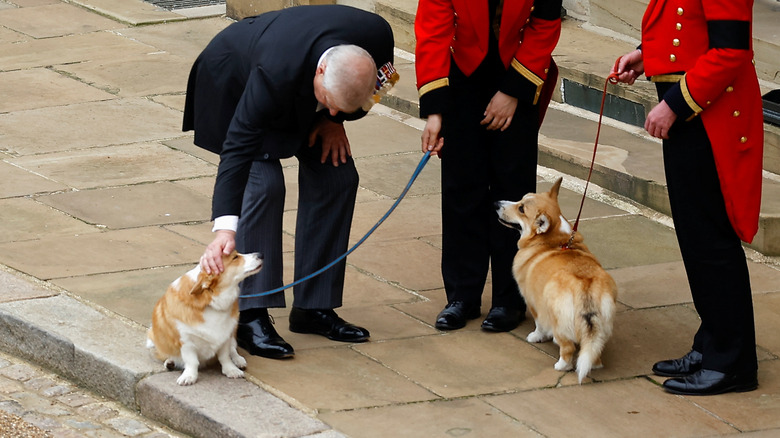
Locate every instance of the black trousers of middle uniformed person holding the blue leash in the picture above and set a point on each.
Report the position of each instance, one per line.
(480, 167)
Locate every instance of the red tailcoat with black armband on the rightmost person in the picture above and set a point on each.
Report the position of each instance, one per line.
(706, 45)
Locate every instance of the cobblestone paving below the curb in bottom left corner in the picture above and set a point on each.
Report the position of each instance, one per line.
(36, 403)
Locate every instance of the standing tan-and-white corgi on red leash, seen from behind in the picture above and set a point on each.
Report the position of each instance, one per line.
(569, 294)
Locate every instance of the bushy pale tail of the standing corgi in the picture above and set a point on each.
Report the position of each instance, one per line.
(595, 328)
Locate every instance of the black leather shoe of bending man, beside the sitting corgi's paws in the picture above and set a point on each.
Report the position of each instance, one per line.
(256, 335)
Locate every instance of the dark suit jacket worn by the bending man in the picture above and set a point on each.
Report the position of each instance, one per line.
(250, 93)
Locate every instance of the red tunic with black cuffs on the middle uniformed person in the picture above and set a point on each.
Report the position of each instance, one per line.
(458, 29)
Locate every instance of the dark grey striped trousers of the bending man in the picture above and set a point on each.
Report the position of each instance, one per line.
(326, 201)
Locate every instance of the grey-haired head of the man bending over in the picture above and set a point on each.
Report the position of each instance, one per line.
(350, 84)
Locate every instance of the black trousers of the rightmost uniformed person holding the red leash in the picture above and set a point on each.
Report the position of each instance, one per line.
(712, 253)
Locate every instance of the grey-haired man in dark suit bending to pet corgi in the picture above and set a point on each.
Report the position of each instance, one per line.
(275, 86)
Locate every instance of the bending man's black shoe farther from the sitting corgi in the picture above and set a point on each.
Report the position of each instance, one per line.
(325, 322)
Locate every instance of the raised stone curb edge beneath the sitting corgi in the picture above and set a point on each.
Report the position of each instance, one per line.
(103, 353)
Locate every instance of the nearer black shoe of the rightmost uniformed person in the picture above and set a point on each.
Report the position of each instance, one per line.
(709, 382)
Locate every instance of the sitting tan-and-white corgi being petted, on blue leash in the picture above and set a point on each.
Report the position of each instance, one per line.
(196, 319)
